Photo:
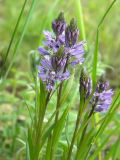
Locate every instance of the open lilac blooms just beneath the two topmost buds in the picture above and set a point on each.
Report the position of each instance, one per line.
(74, 53)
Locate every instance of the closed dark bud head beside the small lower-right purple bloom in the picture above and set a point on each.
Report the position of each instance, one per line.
(85, 85)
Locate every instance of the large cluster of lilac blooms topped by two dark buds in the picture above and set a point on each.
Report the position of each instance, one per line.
(60, 49)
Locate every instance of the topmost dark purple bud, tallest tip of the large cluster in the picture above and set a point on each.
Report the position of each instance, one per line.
(58, 25)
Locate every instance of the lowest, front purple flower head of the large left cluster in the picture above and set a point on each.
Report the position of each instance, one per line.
(52, 70)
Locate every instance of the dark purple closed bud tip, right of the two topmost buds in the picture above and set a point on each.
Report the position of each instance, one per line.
(71, 34)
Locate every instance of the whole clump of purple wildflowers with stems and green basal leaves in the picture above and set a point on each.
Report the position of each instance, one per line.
(60, 55)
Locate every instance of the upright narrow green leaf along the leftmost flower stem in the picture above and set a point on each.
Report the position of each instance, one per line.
(40, 113)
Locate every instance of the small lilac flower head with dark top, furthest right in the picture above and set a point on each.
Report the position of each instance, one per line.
(102, 98)
